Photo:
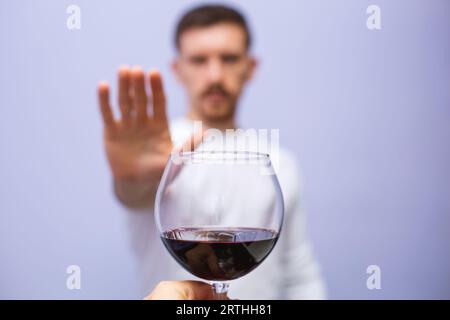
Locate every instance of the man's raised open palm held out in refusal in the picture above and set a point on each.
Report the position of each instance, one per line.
(138, 144)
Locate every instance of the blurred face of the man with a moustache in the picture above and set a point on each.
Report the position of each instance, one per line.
(213, 65)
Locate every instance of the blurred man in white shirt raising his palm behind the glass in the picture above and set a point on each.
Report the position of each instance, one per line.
(213, 64)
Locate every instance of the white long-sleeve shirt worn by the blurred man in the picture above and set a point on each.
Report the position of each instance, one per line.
(289, 272)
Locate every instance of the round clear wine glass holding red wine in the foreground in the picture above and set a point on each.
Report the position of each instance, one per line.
(219, 213)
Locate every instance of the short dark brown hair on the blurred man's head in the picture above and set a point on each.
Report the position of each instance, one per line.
(208, 15)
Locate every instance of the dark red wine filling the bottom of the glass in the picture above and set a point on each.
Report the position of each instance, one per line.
(219, 254)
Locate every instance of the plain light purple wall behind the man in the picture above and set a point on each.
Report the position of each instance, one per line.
(366, 112)
